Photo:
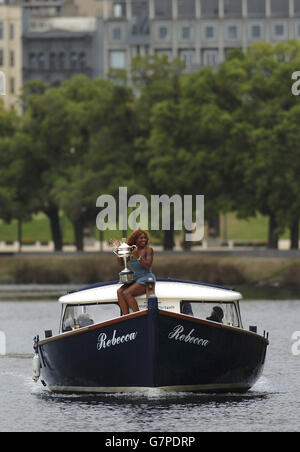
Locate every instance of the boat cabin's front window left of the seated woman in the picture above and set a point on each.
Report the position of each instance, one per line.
(80, 316)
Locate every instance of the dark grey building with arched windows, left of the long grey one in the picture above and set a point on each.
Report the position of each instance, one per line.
(57, 49)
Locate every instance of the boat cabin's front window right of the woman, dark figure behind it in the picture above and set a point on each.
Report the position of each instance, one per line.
(203, 310)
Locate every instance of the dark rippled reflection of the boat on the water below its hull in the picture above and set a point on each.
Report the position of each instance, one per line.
(155, 411)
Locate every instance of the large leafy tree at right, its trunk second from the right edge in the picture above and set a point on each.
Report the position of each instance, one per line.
(259, 151)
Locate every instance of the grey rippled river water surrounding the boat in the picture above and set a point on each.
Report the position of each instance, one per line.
(272, 405)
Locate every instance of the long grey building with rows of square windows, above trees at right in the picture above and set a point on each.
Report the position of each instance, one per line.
(200, 32)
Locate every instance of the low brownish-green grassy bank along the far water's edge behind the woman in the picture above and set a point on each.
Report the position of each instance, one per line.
(228, 271)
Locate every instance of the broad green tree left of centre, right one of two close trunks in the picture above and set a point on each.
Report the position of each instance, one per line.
(102, 143)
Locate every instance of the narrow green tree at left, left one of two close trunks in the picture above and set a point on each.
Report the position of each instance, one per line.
(43, 145)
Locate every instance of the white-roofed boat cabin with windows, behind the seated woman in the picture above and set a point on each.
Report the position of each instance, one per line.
(99, 303)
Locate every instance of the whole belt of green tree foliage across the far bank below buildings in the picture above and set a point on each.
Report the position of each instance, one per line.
(230, 134)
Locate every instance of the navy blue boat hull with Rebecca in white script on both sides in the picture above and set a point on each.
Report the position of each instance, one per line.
(153, 349)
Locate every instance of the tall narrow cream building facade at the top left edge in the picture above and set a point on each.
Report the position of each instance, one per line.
(11, 26)
